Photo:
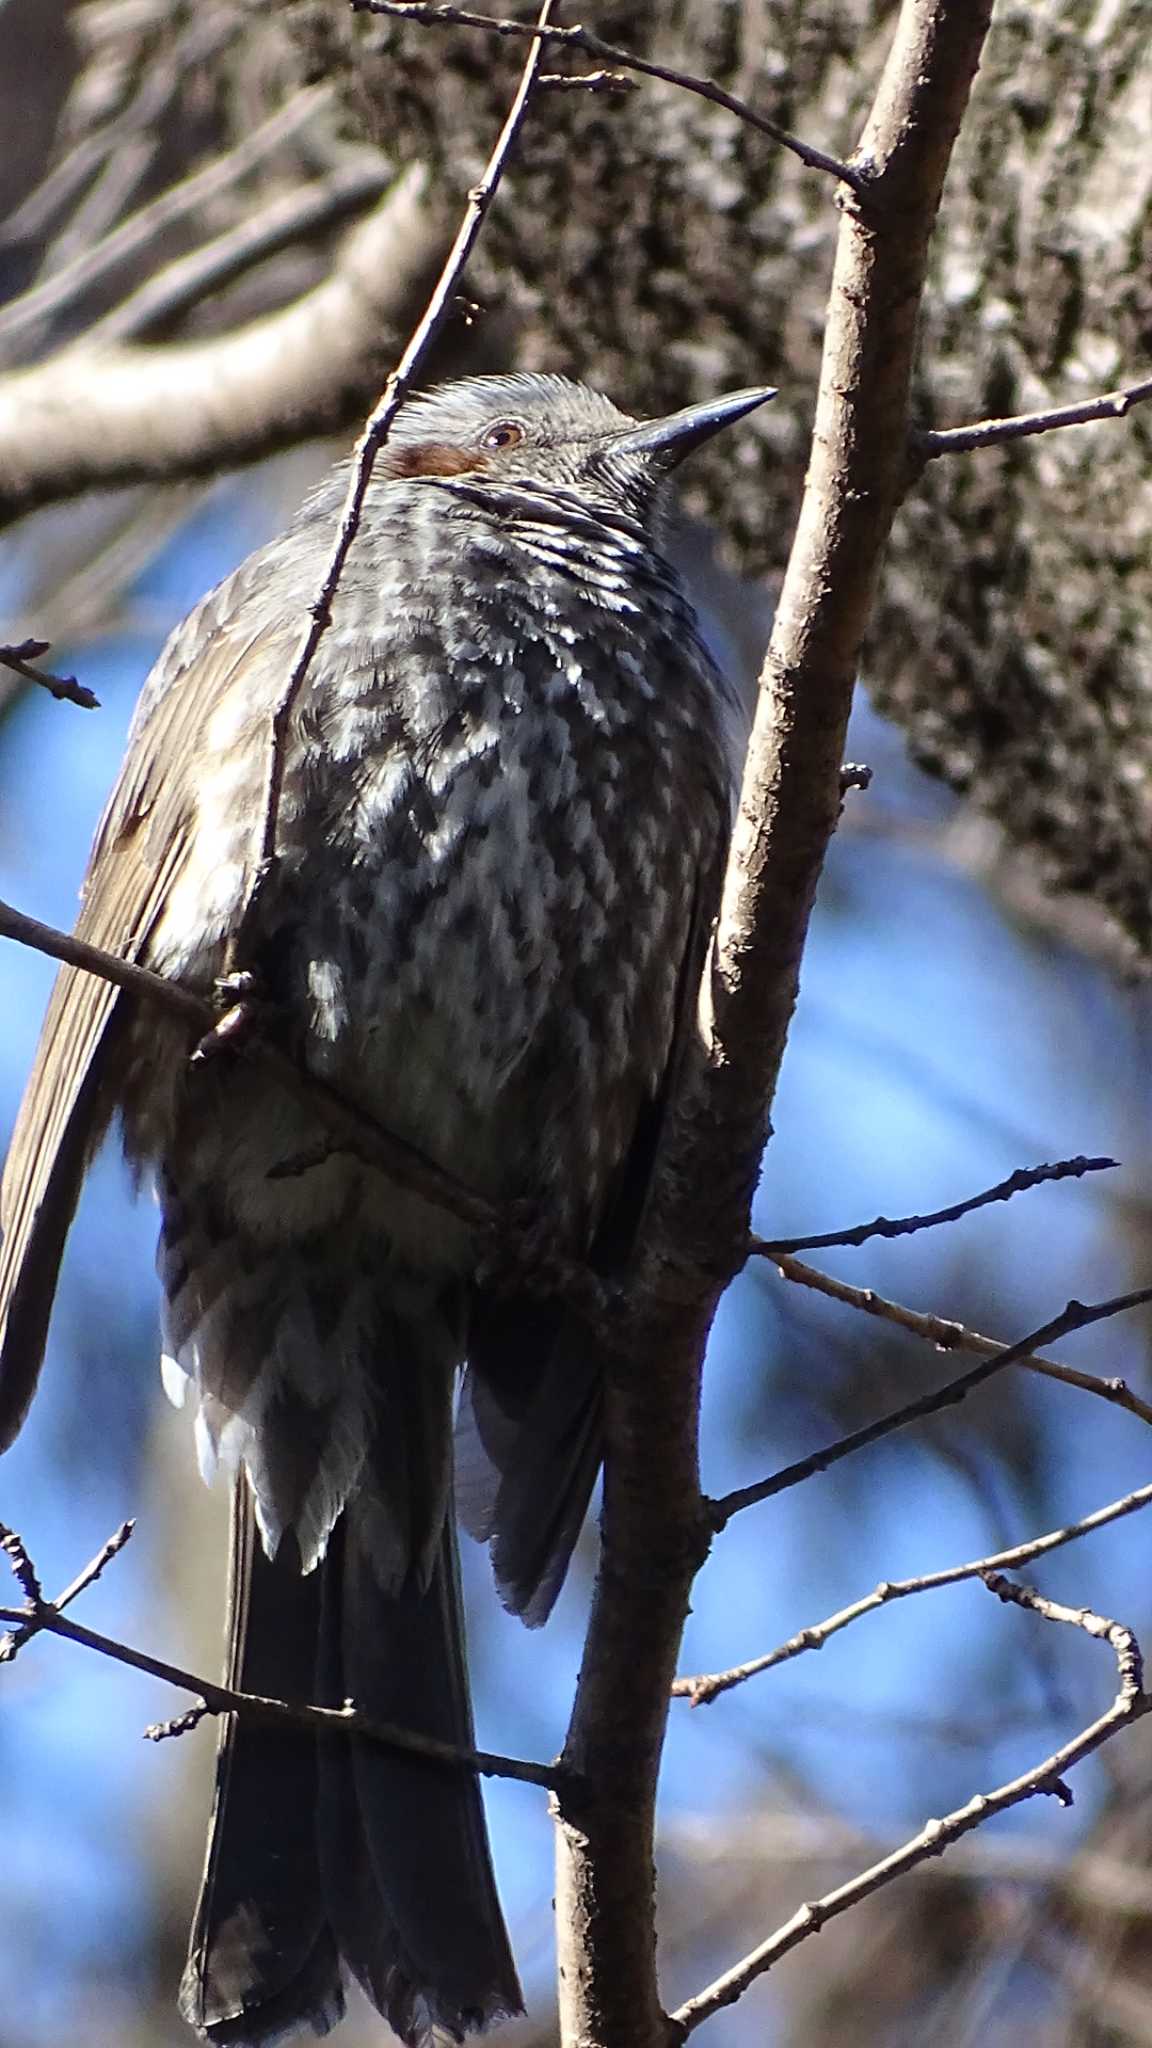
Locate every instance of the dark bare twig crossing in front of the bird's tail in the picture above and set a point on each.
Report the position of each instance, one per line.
(44, 1615)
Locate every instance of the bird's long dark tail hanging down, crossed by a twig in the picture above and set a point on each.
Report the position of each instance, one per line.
(333, 1857)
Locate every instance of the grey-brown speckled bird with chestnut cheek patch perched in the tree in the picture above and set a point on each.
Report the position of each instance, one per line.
(507, 792)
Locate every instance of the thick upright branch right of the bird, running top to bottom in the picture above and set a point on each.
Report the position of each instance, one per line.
(653, 1527)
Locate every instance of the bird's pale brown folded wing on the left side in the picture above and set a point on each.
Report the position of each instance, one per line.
(140, 851)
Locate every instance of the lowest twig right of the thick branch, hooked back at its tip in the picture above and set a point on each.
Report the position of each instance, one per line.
(938, 1836)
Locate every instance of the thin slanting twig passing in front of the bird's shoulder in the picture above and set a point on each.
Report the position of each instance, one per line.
(376, 435)
